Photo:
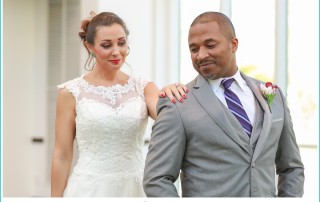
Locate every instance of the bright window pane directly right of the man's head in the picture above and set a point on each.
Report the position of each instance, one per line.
(255, 28)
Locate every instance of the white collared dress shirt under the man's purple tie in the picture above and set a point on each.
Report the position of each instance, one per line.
(241, 89)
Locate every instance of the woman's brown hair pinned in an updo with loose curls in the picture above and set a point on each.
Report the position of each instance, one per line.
(89, 28)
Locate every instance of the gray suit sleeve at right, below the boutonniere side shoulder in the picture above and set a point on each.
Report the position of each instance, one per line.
(288, 161)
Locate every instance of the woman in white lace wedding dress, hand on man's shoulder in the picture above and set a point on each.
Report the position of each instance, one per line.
(106, 111)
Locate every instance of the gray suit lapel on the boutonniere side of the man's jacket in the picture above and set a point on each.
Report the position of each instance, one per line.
(267, 117)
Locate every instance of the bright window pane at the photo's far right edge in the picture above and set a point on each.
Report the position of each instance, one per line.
(303, 69)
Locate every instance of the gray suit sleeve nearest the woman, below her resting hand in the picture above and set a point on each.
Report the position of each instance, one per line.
(166, 151)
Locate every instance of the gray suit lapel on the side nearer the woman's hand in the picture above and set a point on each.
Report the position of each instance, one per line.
(212, 105)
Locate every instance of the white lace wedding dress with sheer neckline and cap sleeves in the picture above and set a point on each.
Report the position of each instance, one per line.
(110, 126)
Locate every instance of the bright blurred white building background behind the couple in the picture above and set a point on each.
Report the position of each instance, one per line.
(278, 42)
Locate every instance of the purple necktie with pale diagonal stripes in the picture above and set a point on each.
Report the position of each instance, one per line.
(236, 107)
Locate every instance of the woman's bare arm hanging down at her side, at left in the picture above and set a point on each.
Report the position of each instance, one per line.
(63, 149)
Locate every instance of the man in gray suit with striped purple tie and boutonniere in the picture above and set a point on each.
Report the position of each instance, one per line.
(224, 140)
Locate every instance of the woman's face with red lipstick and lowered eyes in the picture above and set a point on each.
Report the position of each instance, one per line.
(110, 46)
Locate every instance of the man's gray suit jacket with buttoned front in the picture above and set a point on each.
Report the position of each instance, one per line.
(202, 141)
